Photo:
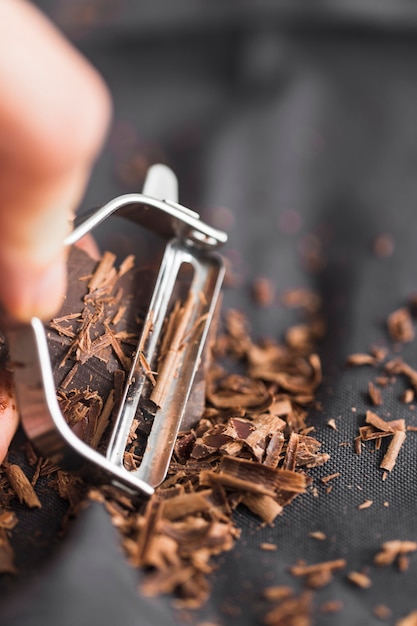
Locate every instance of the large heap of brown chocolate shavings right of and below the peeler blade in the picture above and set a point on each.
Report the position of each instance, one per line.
(247, 449)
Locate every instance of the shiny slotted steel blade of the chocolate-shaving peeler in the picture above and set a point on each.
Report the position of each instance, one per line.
(207, 276)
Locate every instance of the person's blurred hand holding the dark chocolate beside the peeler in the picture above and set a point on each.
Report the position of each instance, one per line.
(54, 113)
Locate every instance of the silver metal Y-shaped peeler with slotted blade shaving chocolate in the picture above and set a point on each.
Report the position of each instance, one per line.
(191, 242)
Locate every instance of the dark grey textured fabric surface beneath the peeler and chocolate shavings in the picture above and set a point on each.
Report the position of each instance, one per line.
(265, 122)
